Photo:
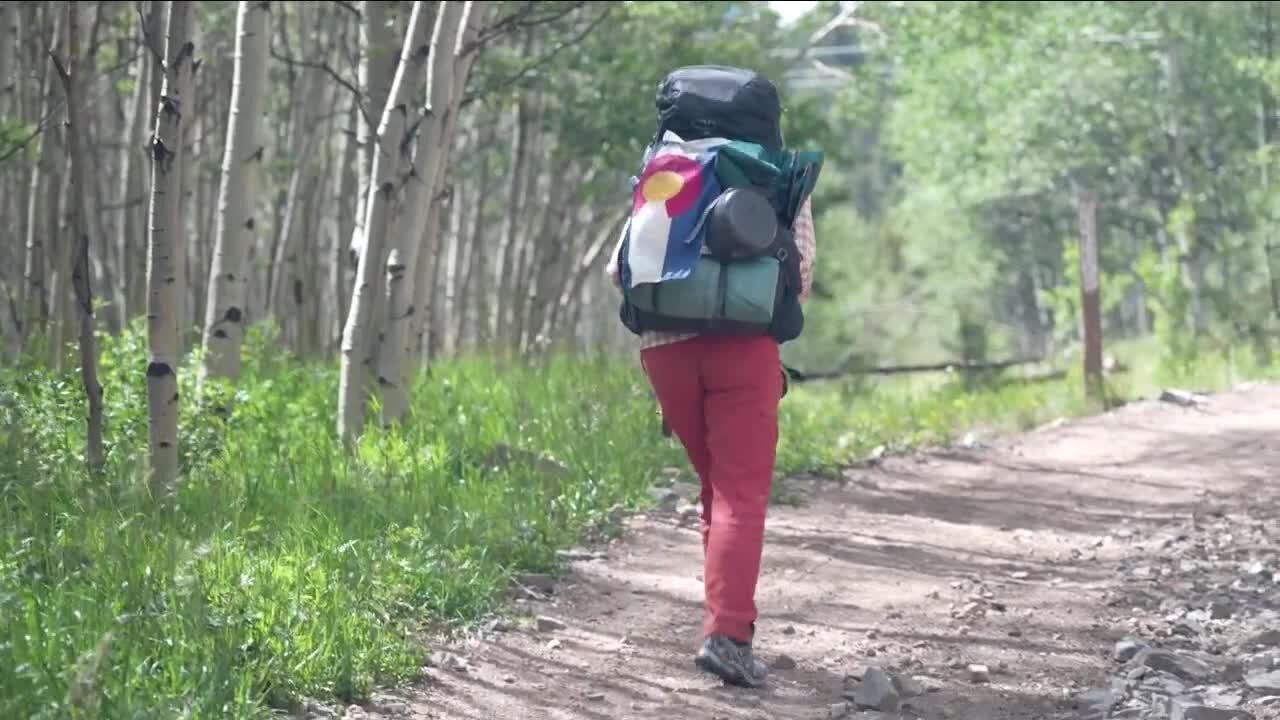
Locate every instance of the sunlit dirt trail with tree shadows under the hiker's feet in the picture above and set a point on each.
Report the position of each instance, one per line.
(1017, 555)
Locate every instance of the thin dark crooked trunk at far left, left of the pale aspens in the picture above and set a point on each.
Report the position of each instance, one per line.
(79, 226)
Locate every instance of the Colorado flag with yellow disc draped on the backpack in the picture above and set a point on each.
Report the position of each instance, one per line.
(675, 189)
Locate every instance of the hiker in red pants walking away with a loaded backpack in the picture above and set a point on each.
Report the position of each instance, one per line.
(714, 266)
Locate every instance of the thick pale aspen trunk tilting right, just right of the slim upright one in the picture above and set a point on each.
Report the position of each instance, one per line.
(237, 216)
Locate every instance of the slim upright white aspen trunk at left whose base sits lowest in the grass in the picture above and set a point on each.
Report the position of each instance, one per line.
(164, 239)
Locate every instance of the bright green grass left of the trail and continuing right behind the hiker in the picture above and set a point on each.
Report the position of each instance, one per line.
(290, 567)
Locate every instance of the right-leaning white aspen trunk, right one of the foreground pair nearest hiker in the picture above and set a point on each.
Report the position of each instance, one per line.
(394, 372)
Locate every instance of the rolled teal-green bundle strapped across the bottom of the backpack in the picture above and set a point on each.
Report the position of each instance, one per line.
(740, 293)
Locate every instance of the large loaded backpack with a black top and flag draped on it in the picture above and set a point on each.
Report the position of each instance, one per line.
(714, 211)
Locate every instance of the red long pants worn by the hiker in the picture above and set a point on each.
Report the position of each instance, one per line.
(721, 398)
